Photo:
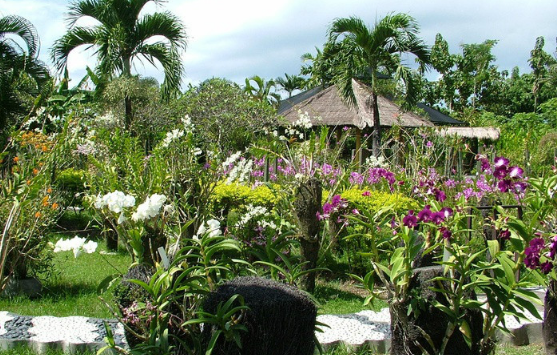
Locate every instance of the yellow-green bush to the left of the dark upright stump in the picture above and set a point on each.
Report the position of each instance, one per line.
(234, 195)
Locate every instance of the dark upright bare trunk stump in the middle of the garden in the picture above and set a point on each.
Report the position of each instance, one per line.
(306, 205)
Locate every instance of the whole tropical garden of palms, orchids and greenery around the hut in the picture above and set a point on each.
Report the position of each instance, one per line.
(166, 195)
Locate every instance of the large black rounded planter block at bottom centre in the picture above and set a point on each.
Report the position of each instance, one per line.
(280, 321)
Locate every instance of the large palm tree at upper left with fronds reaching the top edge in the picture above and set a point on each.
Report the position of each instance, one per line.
(122, 36)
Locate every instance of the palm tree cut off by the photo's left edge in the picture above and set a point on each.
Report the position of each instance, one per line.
(21, 73)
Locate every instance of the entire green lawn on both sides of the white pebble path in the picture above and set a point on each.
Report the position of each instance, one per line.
(71, 290)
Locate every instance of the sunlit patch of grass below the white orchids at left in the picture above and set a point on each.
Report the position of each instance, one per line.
(71, 287)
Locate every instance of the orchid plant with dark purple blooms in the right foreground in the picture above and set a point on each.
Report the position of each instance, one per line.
(438, 234)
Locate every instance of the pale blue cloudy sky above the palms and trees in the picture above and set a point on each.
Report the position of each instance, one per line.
(241, 38)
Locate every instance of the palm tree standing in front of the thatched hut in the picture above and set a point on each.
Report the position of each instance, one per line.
(376, 50)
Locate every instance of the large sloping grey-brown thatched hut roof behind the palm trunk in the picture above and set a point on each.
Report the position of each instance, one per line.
(326, 108)
